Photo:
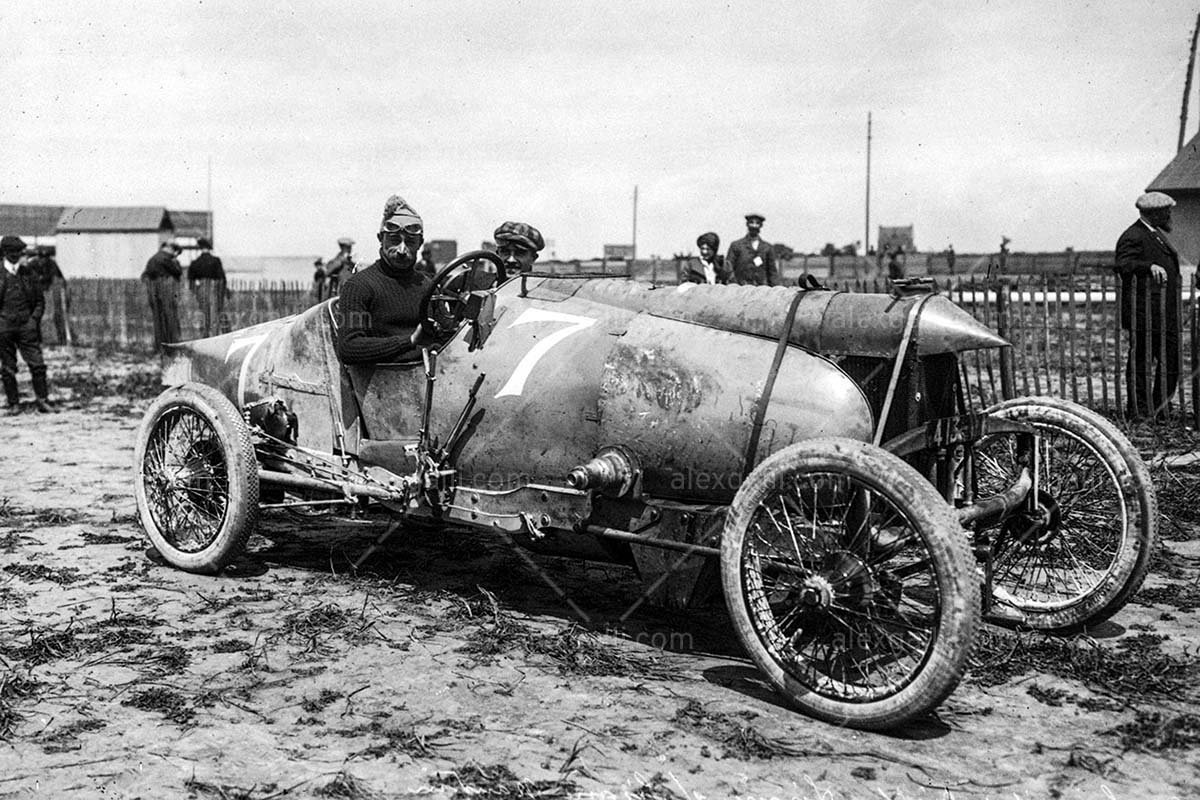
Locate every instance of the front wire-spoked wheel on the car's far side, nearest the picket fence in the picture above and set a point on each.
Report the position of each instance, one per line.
(1096, 549)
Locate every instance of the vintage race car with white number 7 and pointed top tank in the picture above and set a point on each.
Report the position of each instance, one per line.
(814, 454)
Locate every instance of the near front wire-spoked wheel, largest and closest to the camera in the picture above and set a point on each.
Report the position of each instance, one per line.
(813, 550)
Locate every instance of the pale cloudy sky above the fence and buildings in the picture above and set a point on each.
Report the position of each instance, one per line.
(1039, 122)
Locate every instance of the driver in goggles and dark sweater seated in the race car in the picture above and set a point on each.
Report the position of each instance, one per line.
(380, 312)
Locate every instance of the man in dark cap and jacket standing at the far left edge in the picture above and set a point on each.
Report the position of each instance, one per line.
(21, 327)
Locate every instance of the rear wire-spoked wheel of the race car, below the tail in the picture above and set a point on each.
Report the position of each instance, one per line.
(196, 479)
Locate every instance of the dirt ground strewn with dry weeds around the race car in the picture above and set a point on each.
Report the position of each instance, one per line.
(448, 665)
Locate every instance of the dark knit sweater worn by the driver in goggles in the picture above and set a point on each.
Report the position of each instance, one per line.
(379, 314)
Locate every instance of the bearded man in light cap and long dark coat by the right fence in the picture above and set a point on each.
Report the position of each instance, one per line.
(1149, 267)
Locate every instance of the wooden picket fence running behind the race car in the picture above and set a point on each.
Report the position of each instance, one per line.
(1065, 330)
